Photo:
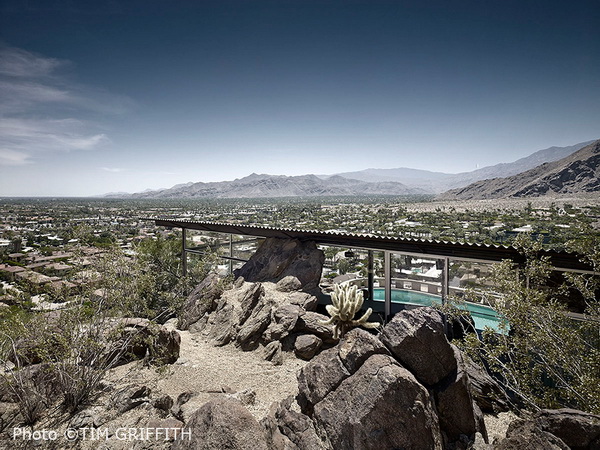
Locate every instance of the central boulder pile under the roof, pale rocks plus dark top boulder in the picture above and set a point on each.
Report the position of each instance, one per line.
(267, 307)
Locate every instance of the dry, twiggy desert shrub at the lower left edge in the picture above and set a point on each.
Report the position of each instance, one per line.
(63, 359)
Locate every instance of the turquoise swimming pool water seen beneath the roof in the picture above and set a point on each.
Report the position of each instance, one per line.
(483, 316)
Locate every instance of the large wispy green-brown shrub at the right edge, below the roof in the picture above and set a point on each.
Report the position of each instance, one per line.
(543, 355)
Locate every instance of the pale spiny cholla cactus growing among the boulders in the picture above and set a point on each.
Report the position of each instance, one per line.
(346, 302)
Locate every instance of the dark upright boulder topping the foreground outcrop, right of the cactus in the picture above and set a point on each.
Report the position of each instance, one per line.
(416, 338)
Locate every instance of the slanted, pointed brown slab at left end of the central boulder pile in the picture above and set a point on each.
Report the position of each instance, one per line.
(203, 299)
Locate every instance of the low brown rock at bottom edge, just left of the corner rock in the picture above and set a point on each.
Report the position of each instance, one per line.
(528, 435)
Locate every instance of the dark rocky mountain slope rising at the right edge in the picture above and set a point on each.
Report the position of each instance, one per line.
(576, 173)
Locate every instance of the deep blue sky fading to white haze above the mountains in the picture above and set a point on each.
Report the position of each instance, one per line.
(116, 95)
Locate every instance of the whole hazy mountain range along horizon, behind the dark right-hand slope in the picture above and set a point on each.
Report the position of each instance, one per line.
(399, 181)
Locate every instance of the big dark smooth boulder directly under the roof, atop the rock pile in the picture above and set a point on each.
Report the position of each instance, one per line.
(277, 259)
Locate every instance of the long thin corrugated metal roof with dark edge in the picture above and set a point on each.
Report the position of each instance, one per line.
(457, 250)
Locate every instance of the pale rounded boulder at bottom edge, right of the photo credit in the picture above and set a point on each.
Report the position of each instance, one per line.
(222, 423)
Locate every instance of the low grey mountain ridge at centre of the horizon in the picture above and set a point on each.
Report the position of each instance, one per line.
(264, 186)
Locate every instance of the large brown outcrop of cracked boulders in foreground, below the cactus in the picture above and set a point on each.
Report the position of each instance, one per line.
(407, 388)
